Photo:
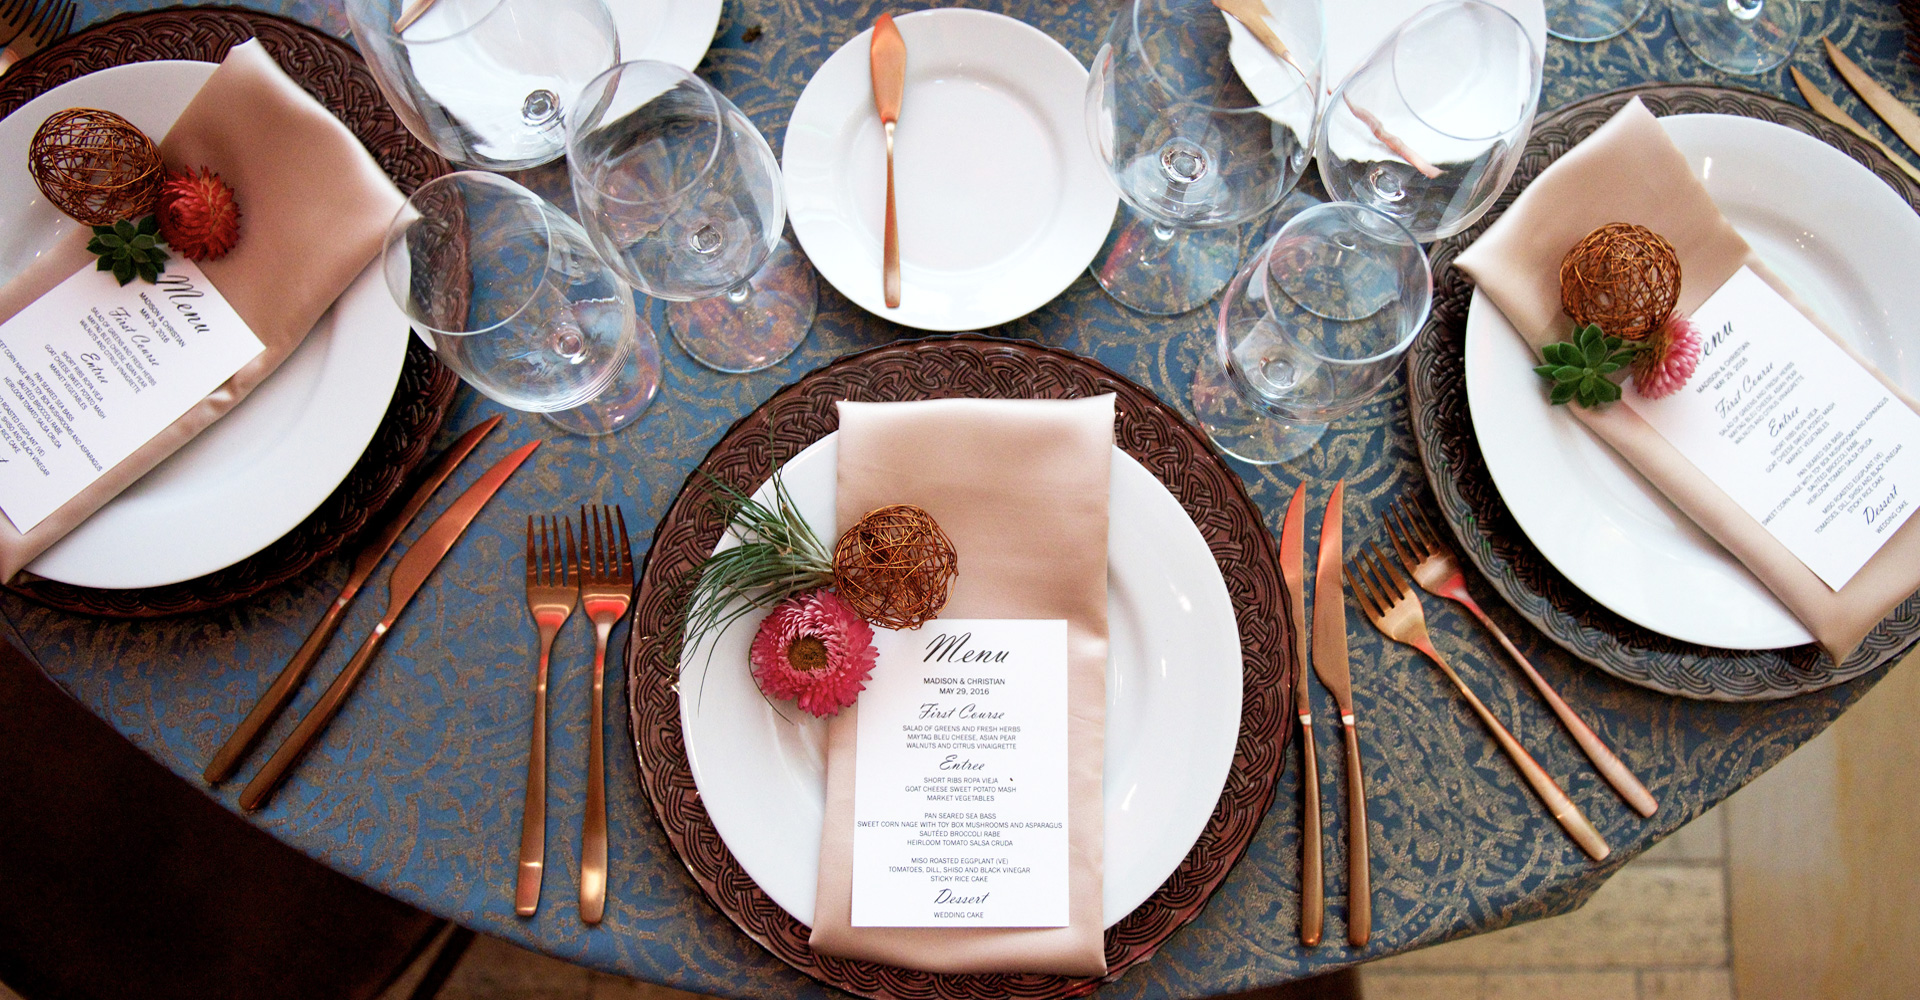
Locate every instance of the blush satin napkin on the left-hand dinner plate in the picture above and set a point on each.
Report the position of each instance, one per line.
(314, 212)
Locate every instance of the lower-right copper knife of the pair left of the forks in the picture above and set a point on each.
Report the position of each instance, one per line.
(406, 581)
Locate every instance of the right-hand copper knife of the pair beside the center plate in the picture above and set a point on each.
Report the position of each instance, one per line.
(1330, 661)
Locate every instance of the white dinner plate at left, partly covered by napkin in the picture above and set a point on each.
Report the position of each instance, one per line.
(260, 471)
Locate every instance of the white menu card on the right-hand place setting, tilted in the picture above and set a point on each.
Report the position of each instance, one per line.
(1794, 431)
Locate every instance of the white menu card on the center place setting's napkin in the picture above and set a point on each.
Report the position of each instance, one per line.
(961, 778)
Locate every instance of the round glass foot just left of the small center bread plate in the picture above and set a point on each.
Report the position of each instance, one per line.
(756, 325)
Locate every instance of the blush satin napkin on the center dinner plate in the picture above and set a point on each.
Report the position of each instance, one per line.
(1020, 487)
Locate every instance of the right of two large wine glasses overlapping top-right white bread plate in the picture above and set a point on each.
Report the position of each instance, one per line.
(1431, 128)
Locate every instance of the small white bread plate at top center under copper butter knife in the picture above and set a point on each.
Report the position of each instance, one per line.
(999, 197)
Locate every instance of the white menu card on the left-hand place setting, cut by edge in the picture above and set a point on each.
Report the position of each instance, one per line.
(95, 369)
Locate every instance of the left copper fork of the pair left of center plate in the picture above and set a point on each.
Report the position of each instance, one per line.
(552, 592)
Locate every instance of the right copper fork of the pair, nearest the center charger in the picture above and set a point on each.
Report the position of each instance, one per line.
(606, 592)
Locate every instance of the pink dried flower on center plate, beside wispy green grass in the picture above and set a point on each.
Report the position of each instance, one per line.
(815, 650)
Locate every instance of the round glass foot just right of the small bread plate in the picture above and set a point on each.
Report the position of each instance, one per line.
(1161, 270)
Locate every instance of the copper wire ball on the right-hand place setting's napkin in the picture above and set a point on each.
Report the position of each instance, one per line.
(1623, 279)
